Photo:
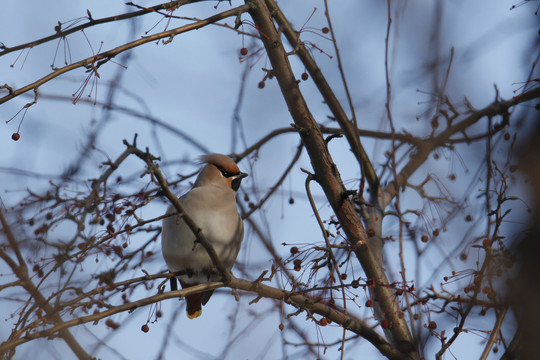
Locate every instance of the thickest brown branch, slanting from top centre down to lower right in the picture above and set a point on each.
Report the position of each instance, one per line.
(327, 175)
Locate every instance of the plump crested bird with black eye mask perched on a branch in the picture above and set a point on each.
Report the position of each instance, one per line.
(211, 204)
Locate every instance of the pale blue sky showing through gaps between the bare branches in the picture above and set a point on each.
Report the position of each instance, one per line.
(193, 84)
